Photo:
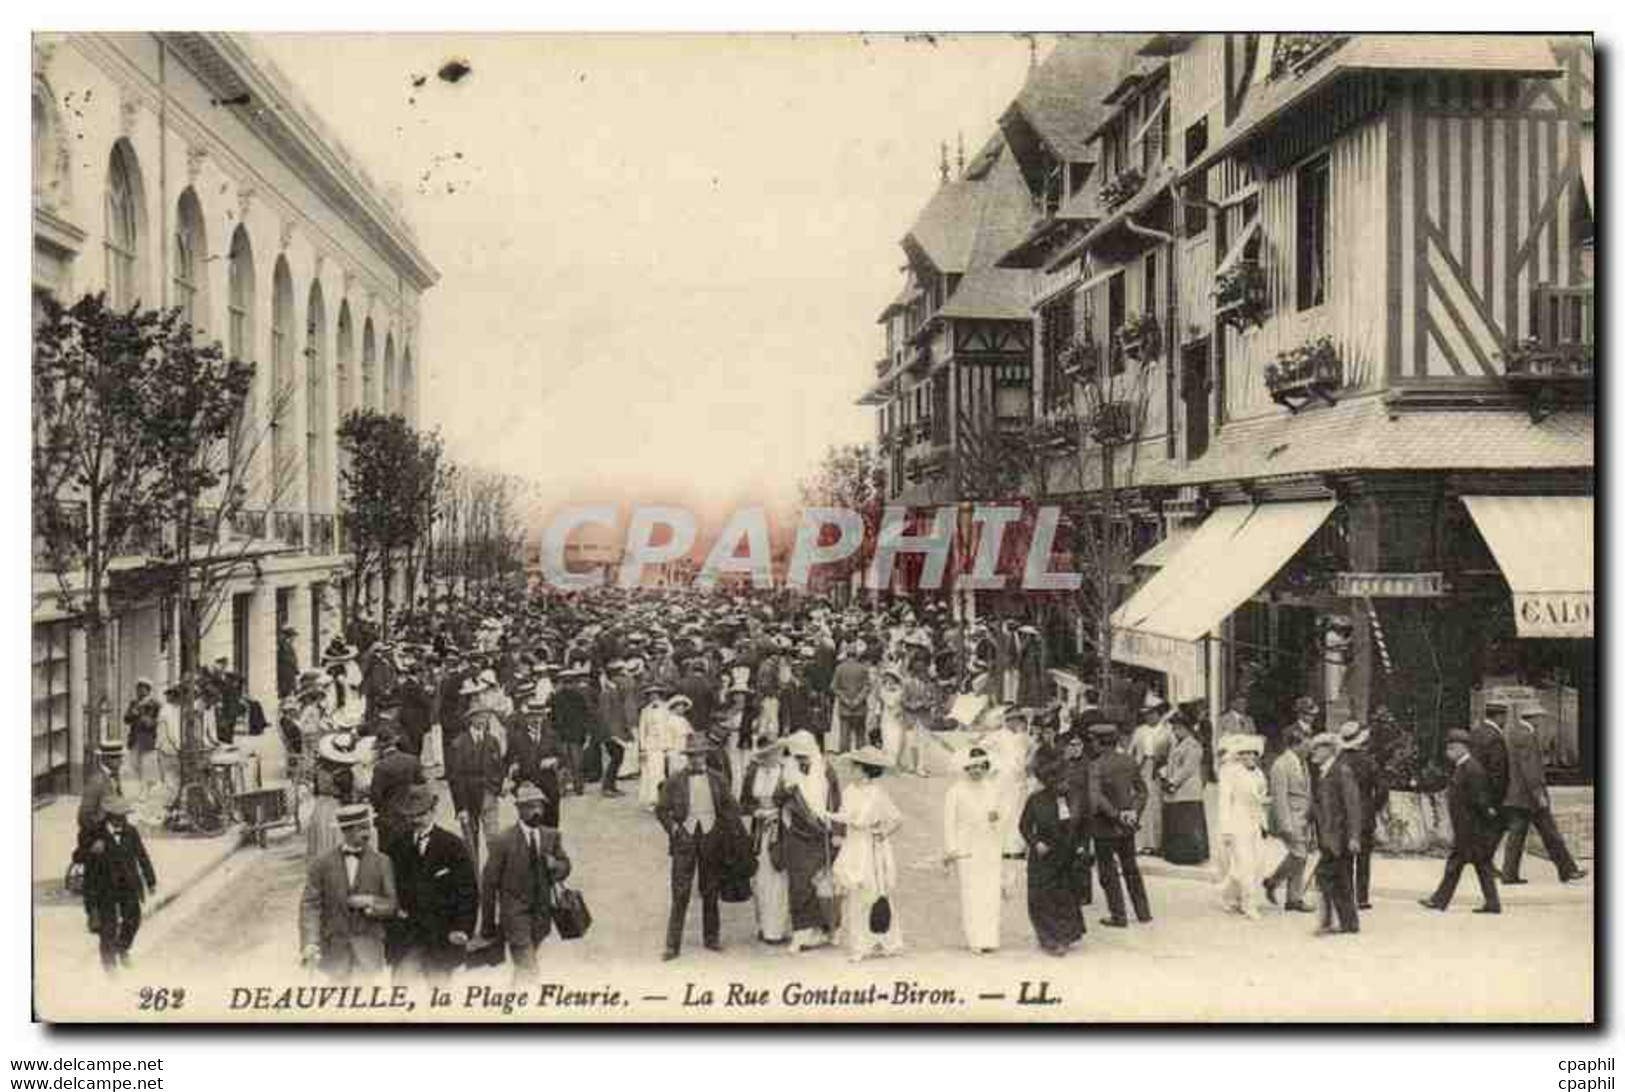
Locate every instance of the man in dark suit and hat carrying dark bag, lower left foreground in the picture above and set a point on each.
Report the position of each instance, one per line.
(516, 903)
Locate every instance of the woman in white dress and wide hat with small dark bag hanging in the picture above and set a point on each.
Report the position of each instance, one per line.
(867, 869)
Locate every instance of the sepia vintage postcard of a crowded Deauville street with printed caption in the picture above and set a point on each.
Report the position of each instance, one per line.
(820, 529)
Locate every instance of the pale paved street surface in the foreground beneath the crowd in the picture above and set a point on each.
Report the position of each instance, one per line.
(1195, 963)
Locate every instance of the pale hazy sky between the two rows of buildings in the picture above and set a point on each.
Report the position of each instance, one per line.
(662, 256)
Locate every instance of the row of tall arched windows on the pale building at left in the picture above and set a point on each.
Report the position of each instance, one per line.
(124, 249)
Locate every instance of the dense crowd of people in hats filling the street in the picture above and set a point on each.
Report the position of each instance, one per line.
(766, 734)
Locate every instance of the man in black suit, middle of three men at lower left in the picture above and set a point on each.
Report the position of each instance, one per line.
(438, 890)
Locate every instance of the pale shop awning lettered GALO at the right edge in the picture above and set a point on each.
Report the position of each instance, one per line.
(1545, 548)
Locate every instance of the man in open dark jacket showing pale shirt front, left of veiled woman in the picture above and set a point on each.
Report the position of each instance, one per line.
(693, 808)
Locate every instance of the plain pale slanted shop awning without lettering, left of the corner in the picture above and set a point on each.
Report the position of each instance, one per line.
(1228, 560)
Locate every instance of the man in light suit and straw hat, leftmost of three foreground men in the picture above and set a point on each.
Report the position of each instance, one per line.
(349, 898)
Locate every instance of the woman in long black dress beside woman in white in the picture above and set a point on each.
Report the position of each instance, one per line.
(1052, 825)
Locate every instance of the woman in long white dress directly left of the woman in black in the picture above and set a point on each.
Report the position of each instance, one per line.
(973, 844)
